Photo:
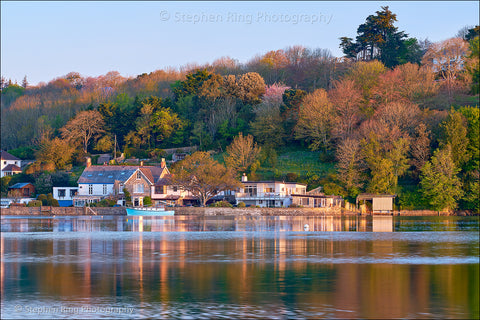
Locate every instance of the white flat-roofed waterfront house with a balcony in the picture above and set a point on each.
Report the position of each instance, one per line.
(268, 193)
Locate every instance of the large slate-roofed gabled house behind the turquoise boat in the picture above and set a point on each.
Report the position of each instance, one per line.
(99, 182)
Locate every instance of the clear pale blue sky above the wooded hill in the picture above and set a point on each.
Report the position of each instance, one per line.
(46, 40)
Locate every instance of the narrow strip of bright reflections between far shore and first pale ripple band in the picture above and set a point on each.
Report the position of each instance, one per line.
(241, 223)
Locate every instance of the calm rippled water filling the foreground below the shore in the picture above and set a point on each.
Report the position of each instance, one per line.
(244, 267)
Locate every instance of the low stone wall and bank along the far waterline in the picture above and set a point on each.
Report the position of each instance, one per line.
(207, 211)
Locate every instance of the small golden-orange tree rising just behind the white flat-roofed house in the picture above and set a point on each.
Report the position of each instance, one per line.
(241, 153)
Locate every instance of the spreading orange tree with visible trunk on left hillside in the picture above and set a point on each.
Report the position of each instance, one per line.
(83, 127)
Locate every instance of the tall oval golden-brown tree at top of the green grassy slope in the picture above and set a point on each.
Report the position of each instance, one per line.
(315, 120)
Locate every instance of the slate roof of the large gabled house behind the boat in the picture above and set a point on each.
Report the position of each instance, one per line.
(110, 174)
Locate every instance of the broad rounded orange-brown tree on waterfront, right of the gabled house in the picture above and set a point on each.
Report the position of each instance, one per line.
(203, 176)
